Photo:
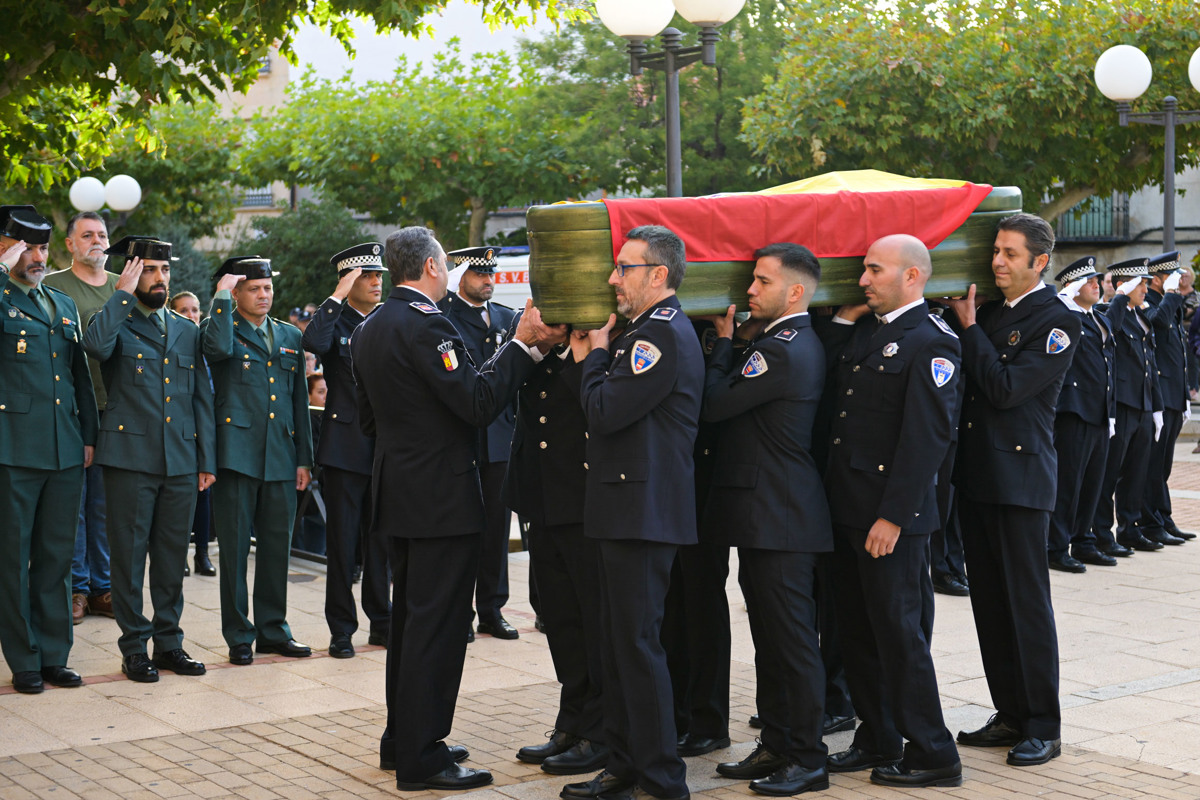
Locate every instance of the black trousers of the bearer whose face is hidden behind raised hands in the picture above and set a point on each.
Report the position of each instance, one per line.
(568, 567)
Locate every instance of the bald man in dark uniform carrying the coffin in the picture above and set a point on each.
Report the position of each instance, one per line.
(896, 404)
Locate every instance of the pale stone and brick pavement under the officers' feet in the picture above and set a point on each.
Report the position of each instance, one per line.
(310, 727)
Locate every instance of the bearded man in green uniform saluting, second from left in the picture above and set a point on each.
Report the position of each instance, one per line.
(158, 448)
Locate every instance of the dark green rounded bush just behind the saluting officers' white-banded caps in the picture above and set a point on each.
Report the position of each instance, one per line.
(301, 244)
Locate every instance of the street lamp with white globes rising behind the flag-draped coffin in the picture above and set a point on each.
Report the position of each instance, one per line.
(638, 21)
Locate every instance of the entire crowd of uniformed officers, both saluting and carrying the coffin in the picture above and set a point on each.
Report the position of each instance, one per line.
(838, 452)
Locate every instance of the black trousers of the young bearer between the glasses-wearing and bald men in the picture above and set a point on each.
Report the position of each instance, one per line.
(781, 597)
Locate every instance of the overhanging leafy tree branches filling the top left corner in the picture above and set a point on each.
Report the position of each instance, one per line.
(75, 71)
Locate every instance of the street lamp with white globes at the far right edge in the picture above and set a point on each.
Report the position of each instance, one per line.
(1124, 75)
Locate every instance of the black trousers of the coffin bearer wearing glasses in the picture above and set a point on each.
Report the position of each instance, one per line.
(638, 703)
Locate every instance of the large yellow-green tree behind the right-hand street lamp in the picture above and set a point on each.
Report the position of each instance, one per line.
(997, 92)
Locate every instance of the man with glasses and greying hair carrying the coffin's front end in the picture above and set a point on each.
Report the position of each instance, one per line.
(641, 396)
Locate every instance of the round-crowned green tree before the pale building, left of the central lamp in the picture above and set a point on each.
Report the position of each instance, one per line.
(440, 148)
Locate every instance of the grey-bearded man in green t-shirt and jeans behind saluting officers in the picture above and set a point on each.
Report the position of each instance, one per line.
(91, 286)
